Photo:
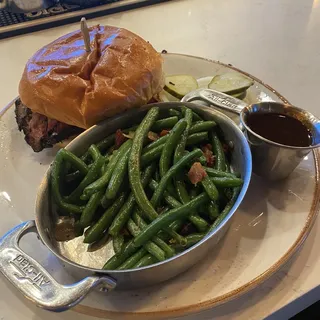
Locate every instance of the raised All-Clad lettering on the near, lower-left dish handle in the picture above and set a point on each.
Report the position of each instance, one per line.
(27, 271)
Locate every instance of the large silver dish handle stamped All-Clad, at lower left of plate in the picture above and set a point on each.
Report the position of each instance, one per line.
(34, 282)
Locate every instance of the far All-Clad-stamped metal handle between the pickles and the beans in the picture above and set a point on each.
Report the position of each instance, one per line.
(216, 98)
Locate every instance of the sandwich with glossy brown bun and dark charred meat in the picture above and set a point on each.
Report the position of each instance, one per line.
(65, 89)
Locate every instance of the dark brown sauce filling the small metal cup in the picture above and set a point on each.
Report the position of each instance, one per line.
(280, 128)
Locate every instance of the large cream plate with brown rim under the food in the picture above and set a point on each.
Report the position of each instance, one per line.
(269, 227)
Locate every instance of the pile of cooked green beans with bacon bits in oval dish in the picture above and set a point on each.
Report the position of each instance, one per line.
(154, 189)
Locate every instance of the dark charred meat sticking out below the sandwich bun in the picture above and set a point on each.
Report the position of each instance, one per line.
(40, 131)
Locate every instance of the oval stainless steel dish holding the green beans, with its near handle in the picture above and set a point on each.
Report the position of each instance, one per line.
(45, 291)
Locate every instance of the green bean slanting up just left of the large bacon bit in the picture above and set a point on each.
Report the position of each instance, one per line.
(168, 176)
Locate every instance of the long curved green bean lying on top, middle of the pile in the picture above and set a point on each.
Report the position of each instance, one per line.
(135, 163)
